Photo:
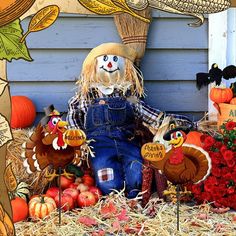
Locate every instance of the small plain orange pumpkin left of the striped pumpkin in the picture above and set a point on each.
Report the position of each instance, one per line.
(19, 209)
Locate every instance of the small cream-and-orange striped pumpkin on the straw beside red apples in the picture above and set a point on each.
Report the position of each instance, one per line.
(41, 206)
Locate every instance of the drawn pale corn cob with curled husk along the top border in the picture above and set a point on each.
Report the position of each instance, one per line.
(194, 8)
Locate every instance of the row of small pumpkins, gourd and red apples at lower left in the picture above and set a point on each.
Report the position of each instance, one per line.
(76, 192)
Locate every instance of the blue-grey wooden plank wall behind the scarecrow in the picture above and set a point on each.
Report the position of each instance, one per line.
(175, 53)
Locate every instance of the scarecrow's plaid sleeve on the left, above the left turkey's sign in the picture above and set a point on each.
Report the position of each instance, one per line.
(75, 115)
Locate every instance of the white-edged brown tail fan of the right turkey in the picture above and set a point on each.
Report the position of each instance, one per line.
(201, 159)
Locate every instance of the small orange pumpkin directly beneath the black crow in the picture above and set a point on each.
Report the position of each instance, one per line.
(221, 95)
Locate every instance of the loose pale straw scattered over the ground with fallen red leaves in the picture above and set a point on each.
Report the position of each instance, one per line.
(157, 218)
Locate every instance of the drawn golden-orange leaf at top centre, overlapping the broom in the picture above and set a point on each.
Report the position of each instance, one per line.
(108, 7)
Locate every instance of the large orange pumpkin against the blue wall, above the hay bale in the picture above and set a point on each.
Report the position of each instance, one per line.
(23, 112)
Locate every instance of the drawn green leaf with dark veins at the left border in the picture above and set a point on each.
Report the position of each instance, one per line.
(10, 46)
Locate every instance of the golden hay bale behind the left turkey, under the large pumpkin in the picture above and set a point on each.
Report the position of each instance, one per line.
(36, 181)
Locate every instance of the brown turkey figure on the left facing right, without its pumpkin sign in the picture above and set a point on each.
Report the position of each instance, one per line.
(46, 146)
